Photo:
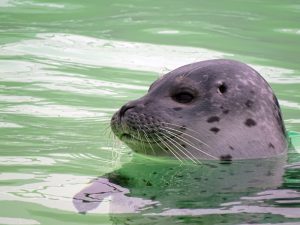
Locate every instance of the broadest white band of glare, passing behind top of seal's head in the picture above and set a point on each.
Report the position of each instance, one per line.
(84, 50)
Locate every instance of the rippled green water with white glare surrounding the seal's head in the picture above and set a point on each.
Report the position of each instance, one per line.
(66, 66)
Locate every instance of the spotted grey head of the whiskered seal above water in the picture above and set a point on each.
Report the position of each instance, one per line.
(216, 109)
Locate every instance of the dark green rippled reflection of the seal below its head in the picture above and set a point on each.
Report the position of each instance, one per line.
(159, 191)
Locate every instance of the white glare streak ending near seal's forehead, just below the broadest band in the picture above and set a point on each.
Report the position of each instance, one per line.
(44, 76)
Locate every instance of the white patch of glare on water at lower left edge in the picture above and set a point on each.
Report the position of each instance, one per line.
(52, 190)
